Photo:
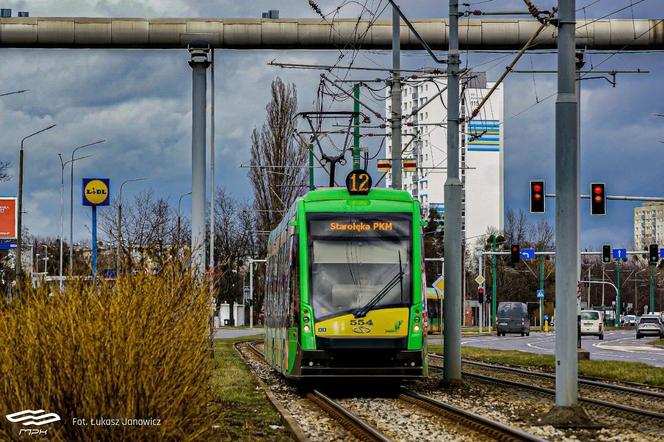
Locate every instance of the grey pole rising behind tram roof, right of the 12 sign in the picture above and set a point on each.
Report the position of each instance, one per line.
(396, 100)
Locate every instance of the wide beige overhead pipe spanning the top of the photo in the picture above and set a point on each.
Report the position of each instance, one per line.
(298, 33)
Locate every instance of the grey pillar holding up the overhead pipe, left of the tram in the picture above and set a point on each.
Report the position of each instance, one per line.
(199, 64)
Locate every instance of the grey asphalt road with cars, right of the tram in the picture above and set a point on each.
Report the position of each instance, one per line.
(616, 346)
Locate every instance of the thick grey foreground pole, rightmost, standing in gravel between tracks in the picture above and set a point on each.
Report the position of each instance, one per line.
(567, 210)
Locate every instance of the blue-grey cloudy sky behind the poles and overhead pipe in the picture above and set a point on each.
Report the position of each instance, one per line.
(139, 101)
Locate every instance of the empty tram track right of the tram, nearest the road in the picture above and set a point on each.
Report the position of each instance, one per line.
(593, 403)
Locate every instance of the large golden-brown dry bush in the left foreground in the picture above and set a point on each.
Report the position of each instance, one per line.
(136, 349)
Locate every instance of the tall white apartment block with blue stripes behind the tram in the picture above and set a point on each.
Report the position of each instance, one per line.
(424, 137)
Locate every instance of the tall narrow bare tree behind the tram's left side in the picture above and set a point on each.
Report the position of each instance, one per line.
(277, 174)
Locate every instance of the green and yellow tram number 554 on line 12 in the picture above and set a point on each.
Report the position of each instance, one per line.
(345, 286)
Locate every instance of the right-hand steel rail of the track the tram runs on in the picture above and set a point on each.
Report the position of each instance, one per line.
(468, 419)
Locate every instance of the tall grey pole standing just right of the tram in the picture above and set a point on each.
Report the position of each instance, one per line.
(453, 189)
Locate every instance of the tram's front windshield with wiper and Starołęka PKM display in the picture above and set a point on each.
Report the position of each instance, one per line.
(355, 257)
